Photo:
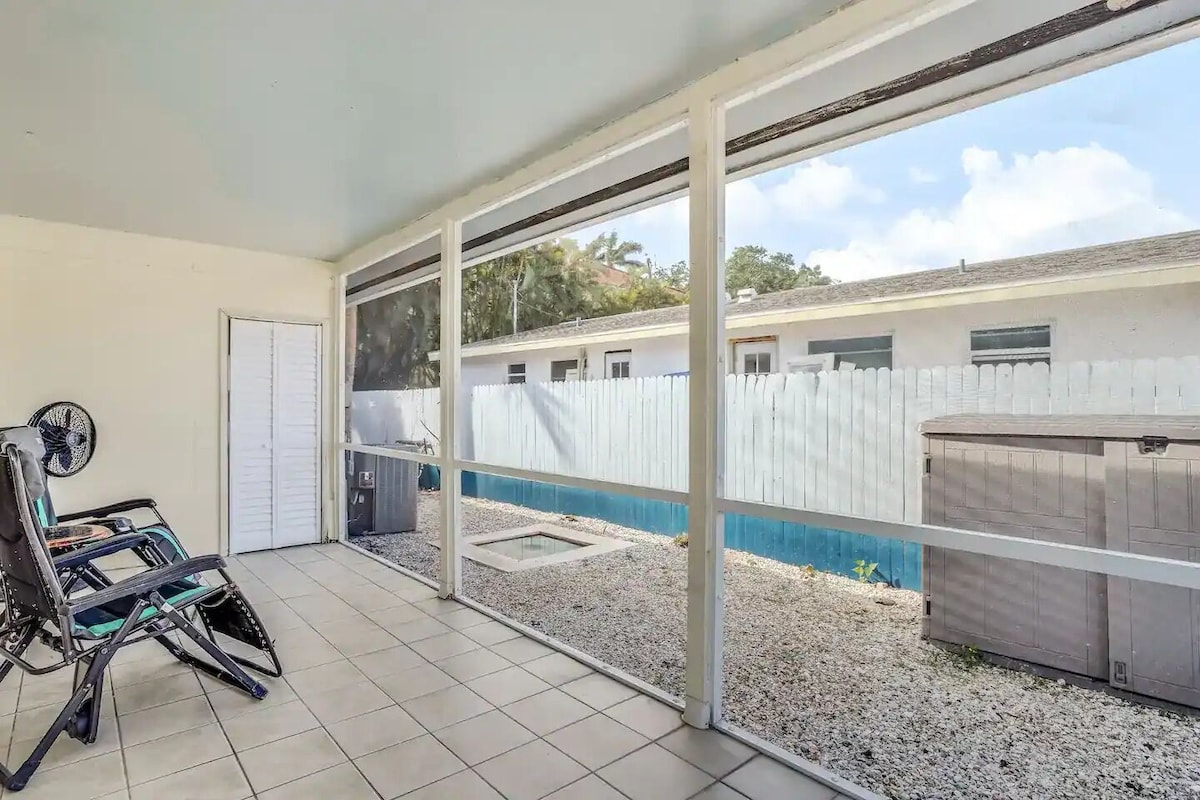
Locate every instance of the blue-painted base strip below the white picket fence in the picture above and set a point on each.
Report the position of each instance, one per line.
(830, 551)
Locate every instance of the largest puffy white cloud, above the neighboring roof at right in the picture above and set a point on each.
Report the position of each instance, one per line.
(1037, 203)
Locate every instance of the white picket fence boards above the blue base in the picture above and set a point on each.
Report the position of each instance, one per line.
(844, 442)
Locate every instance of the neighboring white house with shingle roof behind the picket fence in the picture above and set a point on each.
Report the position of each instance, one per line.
(1129, 300)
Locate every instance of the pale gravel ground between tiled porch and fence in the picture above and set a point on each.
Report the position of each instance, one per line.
(835, 671)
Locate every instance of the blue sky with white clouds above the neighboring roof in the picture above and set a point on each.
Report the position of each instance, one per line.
(1102, 158)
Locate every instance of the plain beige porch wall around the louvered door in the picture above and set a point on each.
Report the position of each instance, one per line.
(130, 328)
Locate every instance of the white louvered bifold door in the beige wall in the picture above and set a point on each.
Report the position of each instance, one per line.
(274, 435)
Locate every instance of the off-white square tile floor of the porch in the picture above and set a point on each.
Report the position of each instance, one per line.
(389, 693)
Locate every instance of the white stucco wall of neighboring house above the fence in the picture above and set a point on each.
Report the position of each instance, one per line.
(1126, 324)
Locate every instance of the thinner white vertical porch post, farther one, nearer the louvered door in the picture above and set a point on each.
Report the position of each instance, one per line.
(451, 584)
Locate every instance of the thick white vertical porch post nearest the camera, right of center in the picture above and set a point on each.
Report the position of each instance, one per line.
(706, 418)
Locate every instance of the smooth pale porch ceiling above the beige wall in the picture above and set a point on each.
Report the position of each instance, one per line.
(313, 128)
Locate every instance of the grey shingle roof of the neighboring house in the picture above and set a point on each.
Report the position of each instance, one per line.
(1139, 254)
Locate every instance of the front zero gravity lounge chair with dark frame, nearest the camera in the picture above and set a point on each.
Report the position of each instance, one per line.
(86, 630)
